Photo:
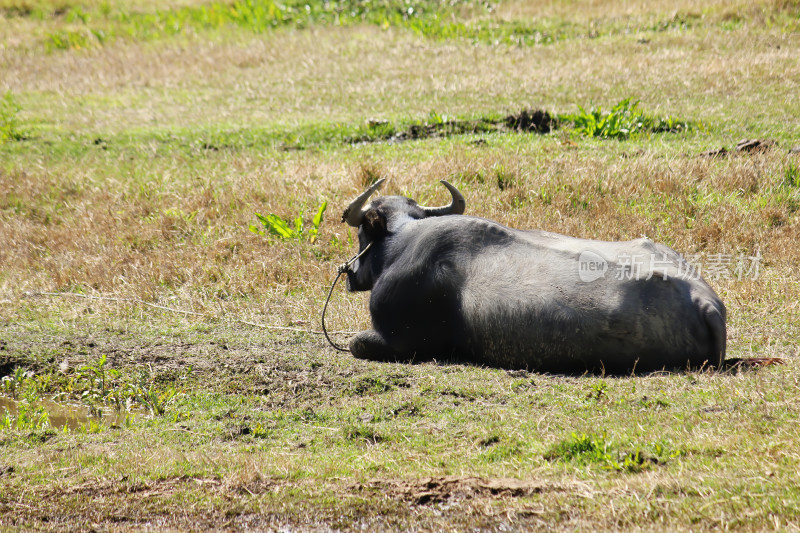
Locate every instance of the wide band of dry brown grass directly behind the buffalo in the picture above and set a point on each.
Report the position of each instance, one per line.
(185, 242)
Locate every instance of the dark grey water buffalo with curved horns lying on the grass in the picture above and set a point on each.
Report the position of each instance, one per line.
(457, 287)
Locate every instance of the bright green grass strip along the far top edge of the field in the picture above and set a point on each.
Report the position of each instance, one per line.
(463, 20)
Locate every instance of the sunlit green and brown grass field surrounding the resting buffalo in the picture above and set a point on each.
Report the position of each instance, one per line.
(138, 140)
